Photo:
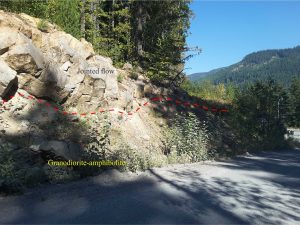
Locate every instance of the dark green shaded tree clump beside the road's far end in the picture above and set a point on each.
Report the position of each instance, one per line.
(258, 115)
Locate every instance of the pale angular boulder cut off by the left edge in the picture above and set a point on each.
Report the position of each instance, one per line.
(8, 77)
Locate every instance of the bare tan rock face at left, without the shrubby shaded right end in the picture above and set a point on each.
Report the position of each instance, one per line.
(60, 99)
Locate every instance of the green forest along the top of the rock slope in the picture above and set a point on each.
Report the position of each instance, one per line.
(149, 34)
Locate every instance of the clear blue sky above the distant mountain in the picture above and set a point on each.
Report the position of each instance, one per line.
(226, 31)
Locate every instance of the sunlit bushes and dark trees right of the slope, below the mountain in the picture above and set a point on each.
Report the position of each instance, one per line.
(259, 113)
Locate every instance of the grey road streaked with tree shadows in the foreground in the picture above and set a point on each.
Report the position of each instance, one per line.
(258, 189)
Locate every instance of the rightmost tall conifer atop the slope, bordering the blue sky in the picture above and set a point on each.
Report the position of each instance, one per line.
(164, 35)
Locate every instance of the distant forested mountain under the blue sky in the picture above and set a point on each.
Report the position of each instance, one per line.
(280, 64)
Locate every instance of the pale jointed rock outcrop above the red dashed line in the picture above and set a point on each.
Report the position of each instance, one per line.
(52, 65)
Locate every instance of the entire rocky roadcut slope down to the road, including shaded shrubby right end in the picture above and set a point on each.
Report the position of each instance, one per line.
(61, 101)
